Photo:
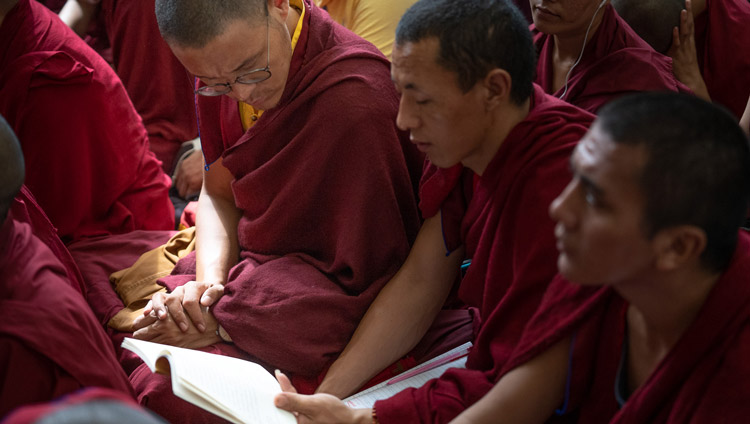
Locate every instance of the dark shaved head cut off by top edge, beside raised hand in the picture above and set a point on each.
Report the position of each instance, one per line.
(652, 20)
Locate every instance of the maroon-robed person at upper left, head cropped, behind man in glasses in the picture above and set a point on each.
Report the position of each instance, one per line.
(158, 85)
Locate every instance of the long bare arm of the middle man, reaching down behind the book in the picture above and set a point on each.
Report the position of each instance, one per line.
(400, 315)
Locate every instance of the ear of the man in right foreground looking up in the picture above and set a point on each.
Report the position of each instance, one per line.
(677, 246)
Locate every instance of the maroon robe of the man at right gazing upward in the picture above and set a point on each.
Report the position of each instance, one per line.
(705, 378)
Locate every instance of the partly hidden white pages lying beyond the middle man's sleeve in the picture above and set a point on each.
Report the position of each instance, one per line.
(415, 377)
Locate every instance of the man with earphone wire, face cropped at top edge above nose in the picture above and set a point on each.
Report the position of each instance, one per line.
(588, 55)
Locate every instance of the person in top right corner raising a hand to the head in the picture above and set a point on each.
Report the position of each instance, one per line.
(705, 40)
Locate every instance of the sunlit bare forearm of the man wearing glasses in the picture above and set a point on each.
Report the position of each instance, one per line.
(217, 249)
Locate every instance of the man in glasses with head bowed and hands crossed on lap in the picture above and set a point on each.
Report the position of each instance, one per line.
(308, 205)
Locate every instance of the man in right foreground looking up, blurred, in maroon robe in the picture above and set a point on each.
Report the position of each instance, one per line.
(657, 328)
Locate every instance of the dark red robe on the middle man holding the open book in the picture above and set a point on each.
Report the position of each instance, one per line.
(507, 233)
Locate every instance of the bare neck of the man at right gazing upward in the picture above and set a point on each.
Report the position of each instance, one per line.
(662, 309)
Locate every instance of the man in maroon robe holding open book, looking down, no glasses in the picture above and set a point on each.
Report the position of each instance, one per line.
(493, 167)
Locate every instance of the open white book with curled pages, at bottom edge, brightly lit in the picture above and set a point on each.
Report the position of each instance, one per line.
(236, 390)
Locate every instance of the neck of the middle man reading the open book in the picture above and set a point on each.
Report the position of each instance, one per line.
(503, 121)
